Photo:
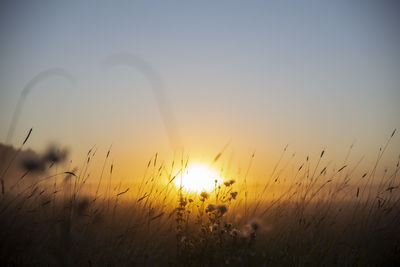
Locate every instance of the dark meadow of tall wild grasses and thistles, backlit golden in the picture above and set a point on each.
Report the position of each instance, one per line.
(318, 215)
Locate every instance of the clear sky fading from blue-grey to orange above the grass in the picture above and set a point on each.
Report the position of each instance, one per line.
(255, 75)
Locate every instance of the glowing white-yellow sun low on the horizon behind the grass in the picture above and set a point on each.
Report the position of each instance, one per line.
(198, 177)
